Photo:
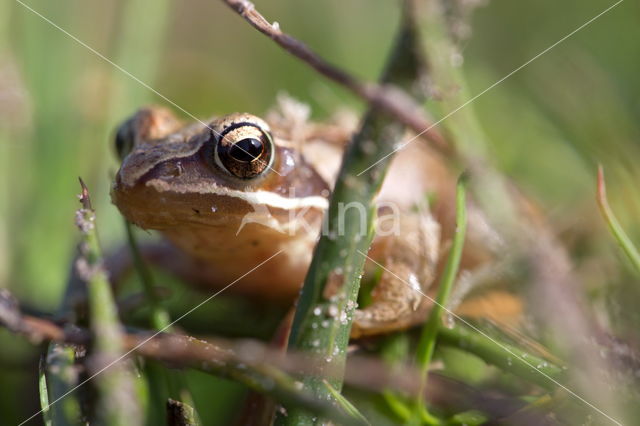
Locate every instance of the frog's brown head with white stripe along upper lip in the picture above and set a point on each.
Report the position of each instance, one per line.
(221, 173)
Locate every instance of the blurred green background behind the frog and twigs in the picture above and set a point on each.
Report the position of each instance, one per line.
(549, 124)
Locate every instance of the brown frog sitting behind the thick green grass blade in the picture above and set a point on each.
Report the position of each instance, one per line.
(171, 181)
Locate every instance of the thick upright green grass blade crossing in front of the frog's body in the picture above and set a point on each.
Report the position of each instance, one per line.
(337, 260)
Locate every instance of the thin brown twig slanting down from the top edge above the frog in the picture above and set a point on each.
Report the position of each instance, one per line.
(386, 97)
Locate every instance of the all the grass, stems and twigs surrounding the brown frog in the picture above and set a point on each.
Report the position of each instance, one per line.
(543, 130)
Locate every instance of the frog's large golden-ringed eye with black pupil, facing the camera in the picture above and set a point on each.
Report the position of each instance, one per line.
(245, 150)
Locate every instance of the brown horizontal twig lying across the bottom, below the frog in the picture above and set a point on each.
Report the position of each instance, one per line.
(185, 351)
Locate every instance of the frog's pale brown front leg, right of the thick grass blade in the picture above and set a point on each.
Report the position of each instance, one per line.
(409, 257)
